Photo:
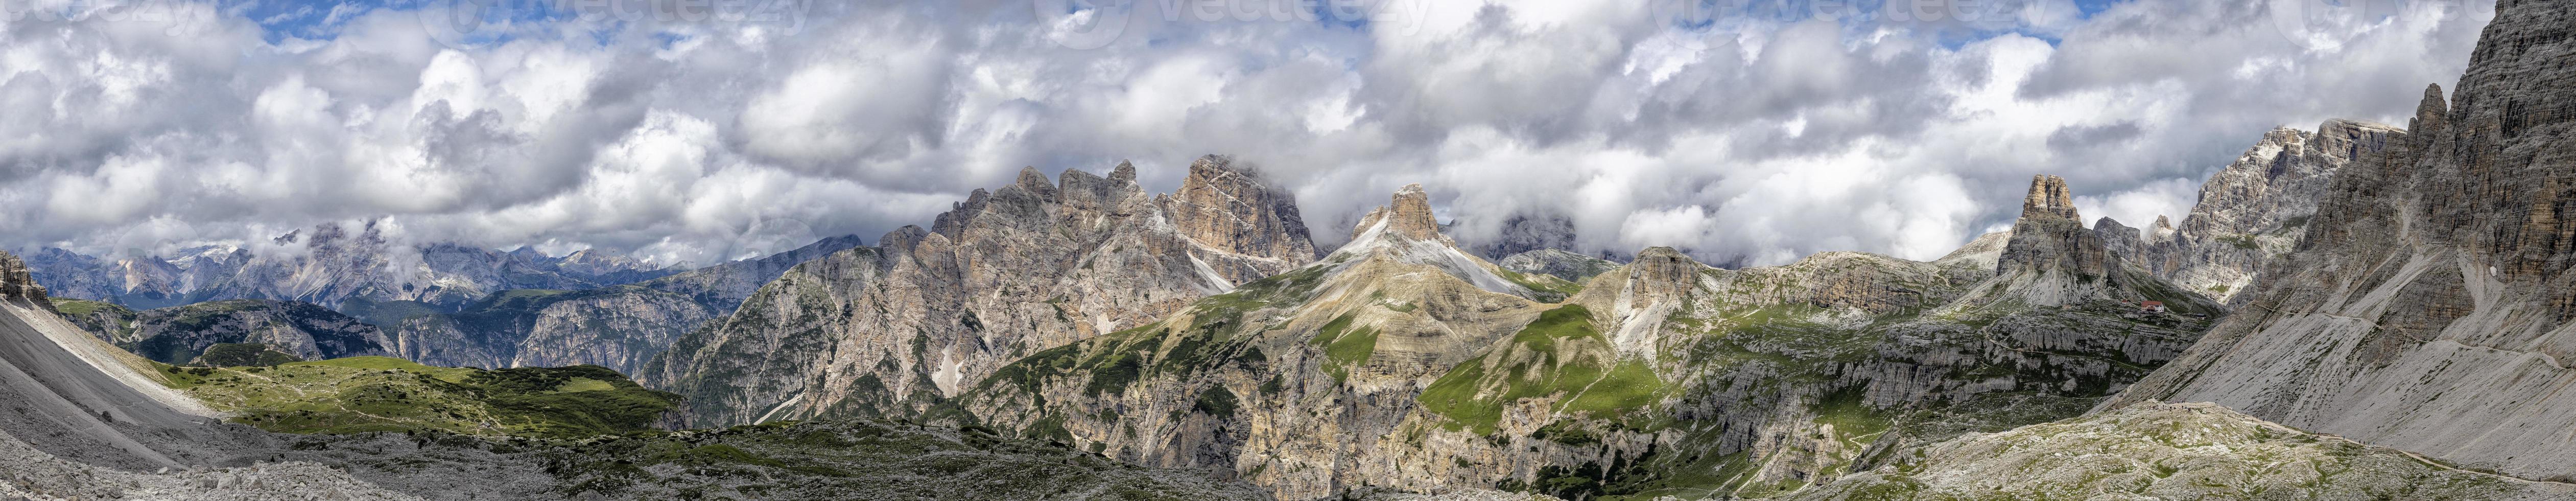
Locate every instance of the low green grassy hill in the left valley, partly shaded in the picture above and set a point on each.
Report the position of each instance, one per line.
(377, 394)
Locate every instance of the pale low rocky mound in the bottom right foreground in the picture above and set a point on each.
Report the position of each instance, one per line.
(2170, 451)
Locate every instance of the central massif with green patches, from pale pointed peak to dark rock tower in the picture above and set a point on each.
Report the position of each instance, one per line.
(1405, 365)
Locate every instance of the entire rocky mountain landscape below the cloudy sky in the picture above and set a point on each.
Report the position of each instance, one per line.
(2356, 311)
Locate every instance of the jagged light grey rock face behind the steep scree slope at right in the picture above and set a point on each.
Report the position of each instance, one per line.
(2258, 208)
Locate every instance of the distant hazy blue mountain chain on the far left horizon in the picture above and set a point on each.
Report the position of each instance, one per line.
(331, 267)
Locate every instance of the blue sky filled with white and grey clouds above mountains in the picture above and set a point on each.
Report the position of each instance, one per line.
(1745, 133)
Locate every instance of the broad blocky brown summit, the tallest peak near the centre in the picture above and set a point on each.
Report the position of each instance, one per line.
(1233, 208)
